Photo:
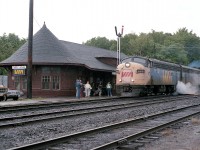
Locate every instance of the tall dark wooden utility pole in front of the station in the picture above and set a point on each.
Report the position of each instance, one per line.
(30, 46)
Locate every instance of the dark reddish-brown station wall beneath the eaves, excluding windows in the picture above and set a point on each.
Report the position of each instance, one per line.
(68, 76)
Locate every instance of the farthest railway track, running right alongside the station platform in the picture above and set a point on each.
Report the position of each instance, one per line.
(58, 104)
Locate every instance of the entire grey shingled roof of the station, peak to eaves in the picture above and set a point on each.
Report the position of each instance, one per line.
(47, 49)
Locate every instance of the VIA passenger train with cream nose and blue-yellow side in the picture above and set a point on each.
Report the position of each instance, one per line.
(140, 76)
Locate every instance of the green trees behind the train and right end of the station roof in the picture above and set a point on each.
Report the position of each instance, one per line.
(181, 47)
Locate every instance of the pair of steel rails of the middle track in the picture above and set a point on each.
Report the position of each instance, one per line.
(75, 112)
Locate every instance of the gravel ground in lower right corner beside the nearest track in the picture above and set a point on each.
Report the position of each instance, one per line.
(185, 138)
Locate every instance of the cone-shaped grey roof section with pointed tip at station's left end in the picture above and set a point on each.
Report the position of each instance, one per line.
(45, 45)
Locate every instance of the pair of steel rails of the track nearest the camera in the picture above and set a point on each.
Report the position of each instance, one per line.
(57, 141)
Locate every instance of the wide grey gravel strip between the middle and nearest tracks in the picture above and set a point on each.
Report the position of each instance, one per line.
(20, 135)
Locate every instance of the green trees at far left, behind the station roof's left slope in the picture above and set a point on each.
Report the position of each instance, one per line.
(8, 45)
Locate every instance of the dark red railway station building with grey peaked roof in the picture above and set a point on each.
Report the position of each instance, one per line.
(56, 64)
